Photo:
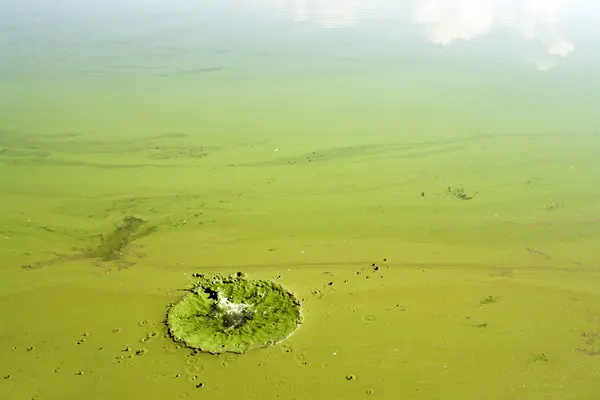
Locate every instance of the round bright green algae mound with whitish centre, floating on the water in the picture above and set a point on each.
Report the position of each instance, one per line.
(233, 314)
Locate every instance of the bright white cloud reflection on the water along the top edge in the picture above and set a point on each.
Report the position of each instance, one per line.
(446, 22)
